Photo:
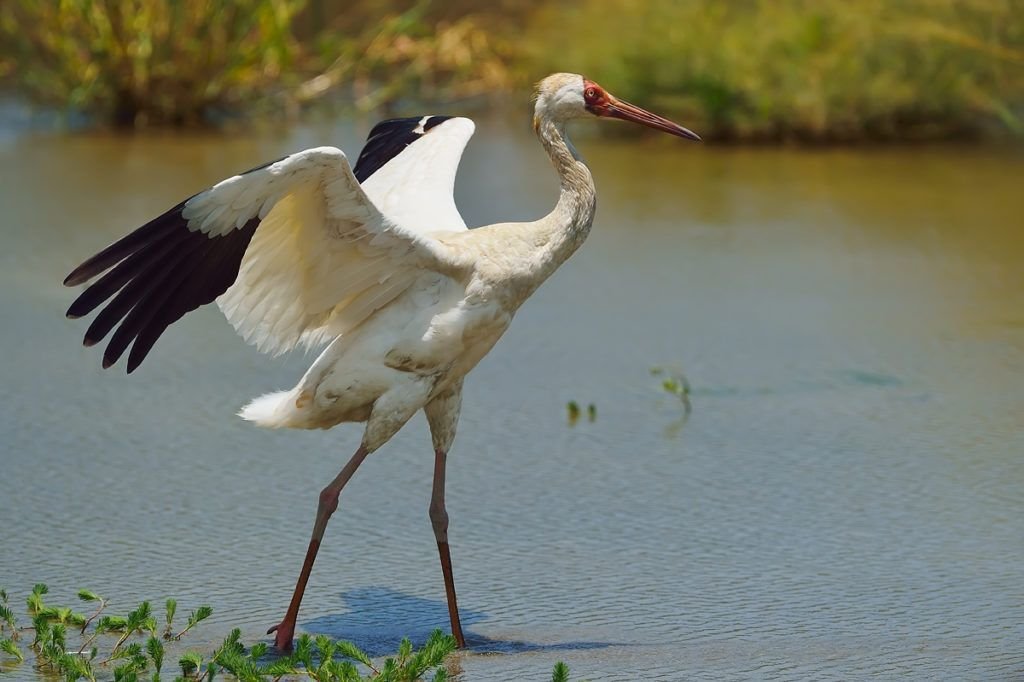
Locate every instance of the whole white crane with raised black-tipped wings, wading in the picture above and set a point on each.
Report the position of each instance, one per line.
(298, 252)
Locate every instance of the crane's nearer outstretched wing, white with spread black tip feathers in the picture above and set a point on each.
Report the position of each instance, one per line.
(295, 250)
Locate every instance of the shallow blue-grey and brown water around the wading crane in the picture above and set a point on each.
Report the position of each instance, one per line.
(844, 502)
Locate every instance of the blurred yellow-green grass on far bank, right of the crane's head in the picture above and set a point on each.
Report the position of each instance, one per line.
(804, 70)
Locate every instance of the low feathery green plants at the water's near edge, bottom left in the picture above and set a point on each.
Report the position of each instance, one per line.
(138, 653)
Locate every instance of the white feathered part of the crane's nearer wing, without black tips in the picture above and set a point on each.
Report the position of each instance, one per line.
(324, 258)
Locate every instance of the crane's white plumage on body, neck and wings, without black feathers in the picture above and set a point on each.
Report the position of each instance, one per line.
(425, 300)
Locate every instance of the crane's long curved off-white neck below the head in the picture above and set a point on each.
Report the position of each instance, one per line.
(560, 234)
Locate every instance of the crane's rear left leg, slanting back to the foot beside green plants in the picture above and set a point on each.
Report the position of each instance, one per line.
(391, 412)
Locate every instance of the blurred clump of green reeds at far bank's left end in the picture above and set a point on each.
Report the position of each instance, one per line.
(139, 62)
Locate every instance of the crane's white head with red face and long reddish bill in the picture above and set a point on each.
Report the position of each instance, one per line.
(565, 97)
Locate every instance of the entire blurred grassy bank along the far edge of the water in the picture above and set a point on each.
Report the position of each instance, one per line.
(815, 71)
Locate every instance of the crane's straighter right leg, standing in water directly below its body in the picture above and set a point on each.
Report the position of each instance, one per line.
(443, 416)
